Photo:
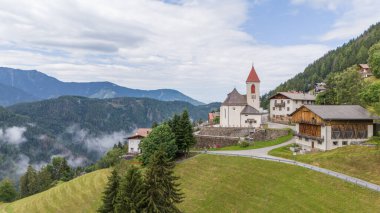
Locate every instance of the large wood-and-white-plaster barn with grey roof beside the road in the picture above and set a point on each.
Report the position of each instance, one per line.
(326, 127)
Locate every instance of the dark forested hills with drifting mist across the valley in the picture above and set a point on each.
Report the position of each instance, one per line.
(79, 128)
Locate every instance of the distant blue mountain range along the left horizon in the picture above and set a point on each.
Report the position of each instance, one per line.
(17, 86)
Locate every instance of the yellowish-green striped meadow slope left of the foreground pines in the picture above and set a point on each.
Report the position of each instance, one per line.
(82, 194)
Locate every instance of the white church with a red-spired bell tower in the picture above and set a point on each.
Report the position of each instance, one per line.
(243, 110)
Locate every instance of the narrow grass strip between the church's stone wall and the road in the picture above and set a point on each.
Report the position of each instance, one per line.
(257, 144)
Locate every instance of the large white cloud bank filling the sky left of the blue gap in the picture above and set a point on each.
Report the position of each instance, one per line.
(190, 45)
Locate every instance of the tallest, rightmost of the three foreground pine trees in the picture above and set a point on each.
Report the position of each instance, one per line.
(163, 192)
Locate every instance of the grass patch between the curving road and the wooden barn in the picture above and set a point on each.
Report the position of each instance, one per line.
(358, 161)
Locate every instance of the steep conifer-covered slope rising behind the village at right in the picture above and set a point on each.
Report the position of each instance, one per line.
(352, 53)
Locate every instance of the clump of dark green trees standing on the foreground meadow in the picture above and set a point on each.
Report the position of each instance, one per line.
(152, 187)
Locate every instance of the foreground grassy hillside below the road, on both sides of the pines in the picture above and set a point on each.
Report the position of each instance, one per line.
(223, 184)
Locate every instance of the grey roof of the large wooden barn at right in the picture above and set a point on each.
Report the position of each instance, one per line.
(341, 112)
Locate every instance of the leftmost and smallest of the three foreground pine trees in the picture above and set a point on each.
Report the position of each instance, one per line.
(109, 194)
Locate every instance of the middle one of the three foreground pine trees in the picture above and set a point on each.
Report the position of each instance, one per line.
(131, 192)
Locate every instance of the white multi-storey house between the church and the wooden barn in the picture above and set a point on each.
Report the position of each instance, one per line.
(283, 104)
